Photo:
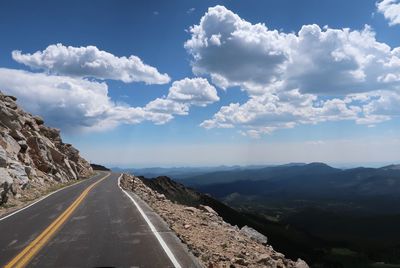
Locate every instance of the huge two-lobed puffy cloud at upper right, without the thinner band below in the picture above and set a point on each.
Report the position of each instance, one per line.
(325, 61)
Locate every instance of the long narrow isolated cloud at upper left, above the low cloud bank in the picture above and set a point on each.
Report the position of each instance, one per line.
(91, 62)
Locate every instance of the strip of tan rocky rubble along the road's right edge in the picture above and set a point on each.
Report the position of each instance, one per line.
(214, 242)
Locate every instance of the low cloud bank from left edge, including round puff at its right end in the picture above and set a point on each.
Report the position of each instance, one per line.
(76, 104)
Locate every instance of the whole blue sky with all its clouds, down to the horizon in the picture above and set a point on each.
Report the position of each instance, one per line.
(207, 83)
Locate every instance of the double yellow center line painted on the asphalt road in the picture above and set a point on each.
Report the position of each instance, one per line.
(26, 255)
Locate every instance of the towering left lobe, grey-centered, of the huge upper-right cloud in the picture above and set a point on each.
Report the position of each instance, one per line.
(224, 45)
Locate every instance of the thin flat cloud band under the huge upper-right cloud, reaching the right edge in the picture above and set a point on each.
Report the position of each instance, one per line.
(269, 112)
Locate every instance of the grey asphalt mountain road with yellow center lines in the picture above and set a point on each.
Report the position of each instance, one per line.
(89, 225)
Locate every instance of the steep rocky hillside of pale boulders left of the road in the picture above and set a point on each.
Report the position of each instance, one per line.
(33, 157)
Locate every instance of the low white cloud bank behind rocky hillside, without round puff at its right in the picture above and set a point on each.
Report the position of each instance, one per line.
(73, 104)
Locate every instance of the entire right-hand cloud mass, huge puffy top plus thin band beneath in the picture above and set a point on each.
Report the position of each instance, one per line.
(312, 76)
